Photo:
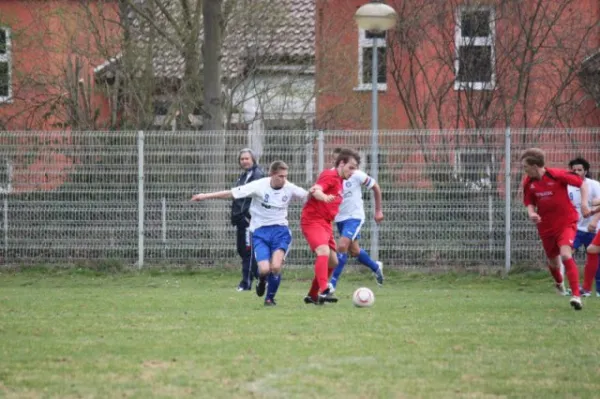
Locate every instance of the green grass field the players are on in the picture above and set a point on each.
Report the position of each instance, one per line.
(78, 334)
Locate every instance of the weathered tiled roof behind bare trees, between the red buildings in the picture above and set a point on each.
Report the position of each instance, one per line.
(259, 32)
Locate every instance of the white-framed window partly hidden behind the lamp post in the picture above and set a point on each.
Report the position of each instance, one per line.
(365, 59)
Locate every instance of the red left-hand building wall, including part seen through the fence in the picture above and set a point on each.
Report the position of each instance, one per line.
(48, 38)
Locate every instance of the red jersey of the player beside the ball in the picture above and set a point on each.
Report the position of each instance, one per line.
(323, 211)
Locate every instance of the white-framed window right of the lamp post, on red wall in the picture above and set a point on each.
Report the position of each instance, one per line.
(475, 53)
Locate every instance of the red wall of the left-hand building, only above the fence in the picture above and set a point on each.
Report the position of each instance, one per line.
(46, 37)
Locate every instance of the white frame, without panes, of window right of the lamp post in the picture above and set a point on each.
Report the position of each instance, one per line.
(460, 41)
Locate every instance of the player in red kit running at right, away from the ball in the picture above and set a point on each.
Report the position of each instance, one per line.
(545, 194)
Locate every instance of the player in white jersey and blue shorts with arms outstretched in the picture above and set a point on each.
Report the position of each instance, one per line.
(271, 236)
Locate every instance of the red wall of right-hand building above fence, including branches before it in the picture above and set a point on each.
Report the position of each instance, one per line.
(532, 89)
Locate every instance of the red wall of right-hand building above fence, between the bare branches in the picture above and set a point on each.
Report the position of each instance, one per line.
(340, 106)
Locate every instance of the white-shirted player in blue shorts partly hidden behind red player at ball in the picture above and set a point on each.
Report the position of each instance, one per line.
(350, 219)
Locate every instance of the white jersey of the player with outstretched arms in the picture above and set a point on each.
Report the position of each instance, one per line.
(269, 206)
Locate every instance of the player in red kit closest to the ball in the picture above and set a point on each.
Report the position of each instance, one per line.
(317, 218)
